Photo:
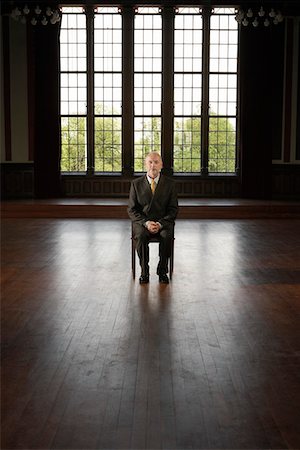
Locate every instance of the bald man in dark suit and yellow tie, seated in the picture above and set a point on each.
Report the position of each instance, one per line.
(153, 208)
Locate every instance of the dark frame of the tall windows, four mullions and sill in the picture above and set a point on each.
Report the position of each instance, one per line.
(167, 109)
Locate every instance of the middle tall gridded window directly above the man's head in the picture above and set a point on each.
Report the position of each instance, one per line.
(147, 84)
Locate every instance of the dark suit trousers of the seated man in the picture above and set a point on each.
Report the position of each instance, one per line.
(142, 237)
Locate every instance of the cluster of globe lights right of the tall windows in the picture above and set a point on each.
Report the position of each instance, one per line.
(260, 17)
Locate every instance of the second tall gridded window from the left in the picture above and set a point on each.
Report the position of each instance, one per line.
(108, 89)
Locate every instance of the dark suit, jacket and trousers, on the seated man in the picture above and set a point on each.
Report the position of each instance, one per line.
(162, 207)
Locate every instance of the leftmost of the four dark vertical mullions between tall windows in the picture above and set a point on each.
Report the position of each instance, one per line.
(90, 92)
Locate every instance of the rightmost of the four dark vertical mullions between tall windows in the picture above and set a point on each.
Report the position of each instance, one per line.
(205, 90)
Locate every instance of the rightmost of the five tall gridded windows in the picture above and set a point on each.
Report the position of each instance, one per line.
(223, 92)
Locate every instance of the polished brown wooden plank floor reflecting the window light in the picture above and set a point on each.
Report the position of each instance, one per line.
(93, 360)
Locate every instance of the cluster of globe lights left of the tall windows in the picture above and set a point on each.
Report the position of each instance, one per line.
(36, 15)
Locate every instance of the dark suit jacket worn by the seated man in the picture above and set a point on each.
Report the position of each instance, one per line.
(162, 206)
